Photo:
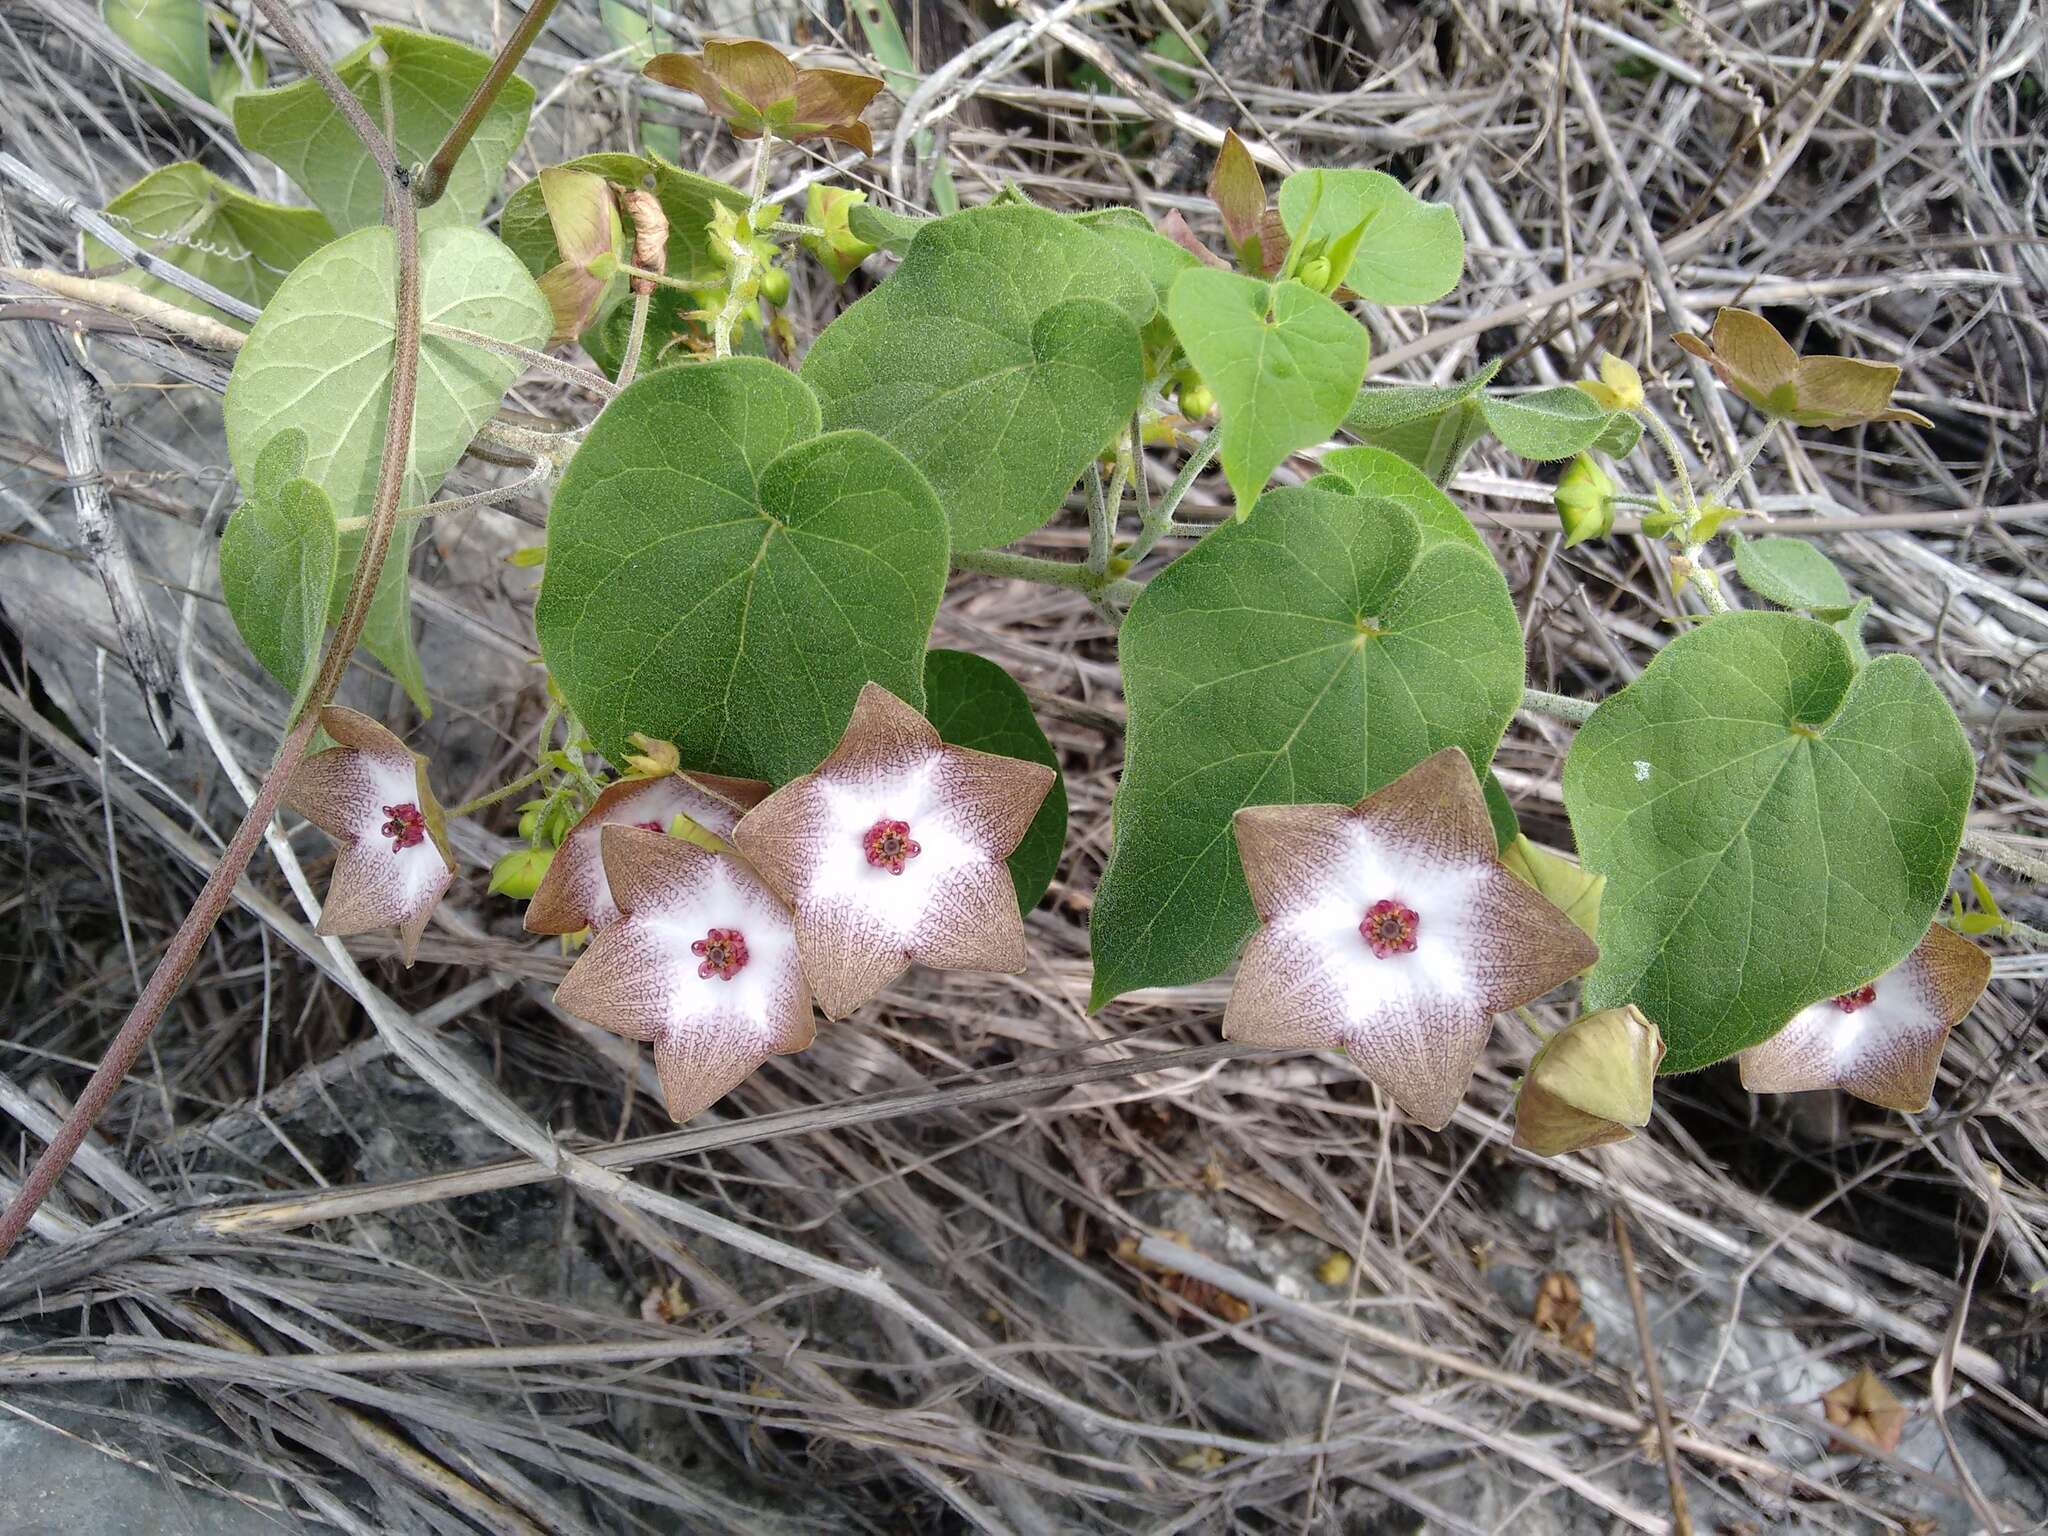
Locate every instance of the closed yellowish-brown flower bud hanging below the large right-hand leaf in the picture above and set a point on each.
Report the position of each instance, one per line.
(1590, 1084)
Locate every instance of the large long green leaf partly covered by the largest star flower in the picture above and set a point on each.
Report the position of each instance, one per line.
(1306, 656)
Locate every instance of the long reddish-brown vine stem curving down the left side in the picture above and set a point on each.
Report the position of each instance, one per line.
(185, 947)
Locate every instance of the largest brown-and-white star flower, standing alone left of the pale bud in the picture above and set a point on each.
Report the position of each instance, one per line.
(1394, 933)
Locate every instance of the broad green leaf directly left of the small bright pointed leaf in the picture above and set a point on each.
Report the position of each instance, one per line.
(1000, 357)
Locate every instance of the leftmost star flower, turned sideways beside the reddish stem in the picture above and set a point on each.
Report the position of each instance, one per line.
(370, 794)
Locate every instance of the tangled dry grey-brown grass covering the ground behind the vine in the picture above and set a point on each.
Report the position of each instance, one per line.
(925, 1267)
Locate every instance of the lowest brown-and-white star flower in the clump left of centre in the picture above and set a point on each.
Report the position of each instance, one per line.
(701, 962)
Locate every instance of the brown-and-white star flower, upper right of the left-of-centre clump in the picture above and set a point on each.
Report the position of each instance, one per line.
(894, 853)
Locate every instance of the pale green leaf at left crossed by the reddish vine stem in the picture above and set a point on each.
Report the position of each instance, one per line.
(321, 361)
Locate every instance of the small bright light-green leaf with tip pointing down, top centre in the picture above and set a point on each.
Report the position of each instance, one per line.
(1283, 359)
